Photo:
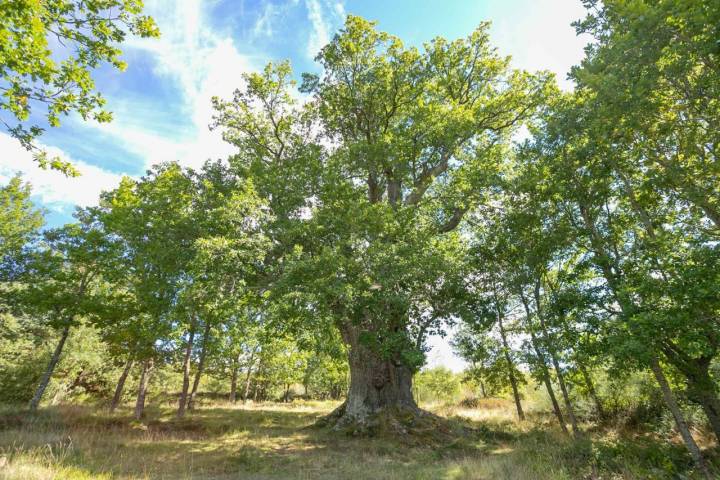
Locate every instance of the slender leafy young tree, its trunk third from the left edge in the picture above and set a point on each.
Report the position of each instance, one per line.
(152, 221)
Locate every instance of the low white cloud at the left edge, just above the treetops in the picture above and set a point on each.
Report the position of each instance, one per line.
(52, 188)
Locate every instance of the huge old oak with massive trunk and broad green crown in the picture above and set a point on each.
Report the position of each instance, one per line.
(369, 179)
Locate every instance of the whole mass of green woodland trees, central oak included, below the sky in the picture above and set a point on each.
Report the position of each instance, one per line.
(387, 199)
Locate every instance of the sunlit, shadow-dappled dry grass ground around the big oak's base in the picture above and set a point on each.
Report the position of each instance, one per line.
(276, 441)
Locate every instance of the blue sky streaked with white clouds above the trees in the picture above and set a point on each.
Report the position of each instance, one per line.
(161, 103)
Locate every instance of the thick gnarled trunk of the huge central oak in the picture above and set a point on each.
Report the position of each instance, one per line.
(376, 384)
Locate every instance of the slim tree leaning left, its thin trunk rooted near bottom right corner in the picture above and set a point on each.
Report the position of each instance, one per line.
(576, 169)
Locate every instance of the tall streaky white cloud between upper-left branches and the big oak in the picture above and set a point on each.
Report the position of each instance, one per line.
(204, 62)
